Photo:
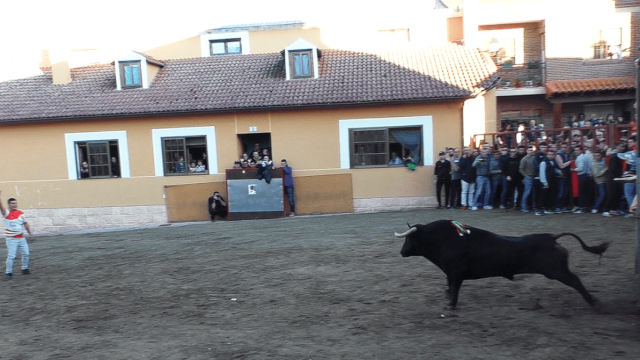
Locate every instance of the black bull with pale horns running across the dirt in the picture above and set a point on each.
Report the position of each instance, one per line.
(481, 254)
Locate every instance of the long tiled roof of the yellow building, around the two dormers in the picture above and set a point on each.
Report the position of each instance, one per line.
(245, 82)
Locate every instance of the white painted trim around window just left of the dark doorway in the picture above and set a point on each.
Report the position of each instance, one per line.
(208, 131)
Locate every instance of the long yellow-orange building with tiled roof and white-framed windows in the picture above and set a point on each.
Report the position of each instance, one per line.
(108, 146)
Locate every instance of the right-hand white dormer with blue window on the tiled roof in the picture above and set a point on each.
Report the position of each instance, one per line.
(301, 60)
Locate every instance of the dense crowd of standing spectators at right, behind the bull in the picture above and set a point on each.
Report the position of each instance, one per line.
(543, 174)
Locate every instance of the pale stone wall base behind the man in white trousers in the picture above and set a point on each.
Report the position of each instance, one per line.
(60, 221)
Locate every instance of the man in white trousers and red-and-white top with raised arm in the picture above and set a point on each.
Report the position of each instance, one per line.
(15, 224)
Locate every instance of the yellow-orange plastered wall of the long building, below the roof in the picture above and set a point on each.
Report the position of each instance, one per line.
(309, 139)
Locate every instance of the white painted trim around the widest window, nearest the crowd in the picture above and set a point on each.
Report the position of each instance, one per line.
(427, 134)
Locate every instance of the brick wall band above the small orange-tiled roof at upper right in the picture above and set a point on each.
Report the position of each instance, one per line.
(577, 68)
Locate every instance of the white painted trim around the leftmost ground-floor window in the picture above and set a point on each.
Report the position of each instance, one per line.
(123, 147)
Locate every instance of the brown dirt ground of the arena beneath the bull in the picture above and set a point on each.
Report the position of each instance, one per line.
(318, 287)
